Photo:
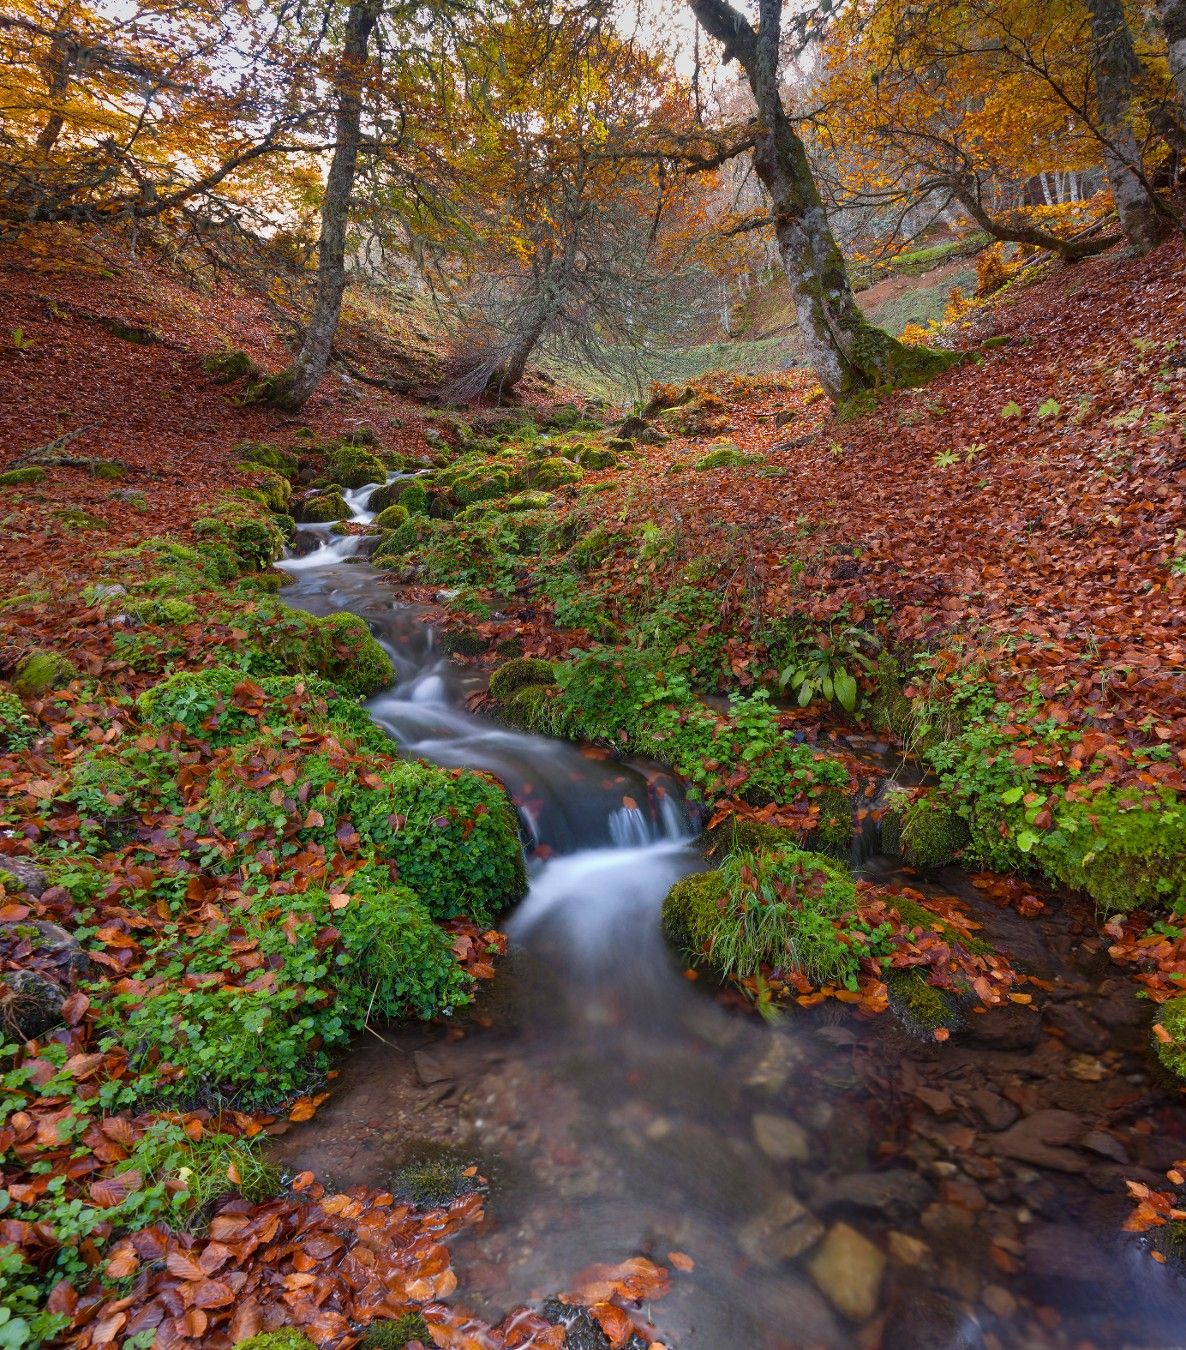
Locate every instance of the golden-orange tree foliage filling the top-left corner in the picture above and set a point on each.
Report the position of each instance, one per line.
(129, 114)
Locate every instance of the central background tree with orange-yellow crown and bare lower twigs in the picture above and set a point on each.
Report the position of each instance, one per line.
(566, 210)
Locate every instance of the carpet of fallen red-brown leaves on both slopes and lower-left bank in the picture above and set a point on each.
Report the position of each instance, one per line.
(1018, 523)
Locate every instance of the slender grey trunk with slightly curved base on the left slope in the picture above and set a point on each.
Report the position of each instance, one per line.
(292, 388)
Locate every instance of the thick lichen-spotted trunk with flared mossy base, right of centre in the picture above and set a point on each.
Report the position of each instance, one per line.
(849, 356)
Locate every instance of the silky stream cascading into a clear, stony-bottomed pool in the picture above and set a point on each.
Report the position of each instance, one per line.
(835, 1181)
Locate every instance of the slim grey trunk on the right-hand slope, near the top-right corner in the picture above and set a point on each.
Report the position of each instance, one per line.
(1117, 68)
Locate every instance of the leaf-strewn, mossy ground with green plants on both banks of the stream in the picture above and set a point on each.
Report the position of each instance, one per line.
(208, 846)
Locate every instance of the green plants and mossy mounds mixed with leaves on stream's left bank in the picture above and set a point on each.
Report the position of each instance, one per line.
(250, 865)
